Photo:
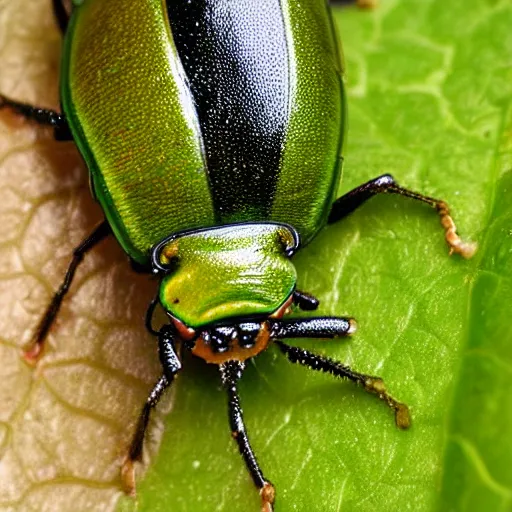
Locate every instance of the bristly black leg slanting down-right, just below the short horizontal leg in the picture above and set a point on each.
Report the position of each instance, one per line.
(370, 383)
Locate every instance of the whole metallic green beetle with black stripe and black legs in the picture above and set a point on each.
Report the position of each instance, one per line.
(214, 153)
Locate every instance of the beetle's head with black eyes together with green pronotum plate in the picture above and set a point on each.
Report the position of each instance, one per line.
(221, 285)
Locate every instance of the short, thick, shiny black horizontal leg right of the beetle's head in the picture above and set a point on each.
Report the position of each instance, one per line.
(322, 327)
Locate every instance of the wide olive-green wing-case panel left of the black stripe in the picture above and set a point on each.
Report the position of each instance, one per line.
(126, 99)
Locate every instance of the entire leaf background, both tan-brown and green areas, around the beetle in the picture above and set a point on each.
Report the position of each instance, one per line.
(430, 90)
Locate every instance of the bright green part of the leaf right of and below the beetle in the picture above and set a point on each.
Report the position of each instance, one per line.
(430, 88)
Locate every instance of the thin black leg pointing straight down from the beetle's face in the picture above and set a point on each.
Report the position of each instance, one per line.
(231, 372)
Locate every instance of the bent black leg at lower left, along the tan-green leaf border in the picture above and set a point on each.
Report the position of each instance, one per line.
(171, 365)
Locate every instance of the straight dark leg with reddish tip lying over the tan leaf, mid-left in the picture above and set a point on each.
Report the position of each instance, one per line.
(32, 353)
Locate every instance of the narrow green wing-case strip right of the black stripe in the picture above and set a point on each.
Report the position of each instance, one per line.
(311, 160)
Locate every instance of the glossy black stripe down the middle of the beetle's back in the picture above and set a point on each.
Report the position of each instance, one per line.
(235, 56)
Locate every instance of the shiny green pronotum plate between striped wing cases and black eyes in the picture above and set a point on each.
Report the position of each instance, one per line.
(233, 271)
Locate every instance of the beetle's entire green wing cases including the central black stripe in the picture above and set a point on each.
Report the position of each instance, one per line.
(200, 114)
